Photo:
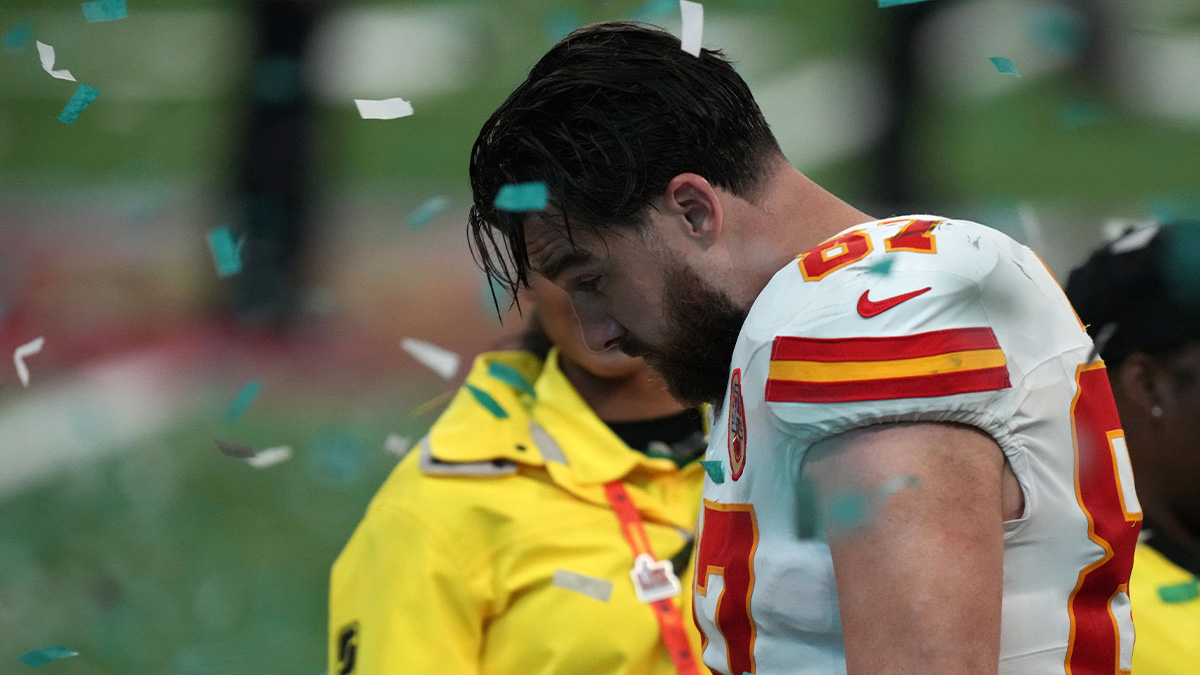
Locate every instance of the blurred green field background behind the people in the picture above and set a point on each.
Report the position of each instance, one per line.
(125, 535)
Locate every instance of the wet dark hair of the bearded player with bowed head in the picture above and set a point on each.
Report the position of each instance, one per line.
(607, 120)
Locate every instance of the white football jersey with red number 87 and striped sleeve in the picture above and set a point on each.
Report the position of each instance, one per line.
(917, 319)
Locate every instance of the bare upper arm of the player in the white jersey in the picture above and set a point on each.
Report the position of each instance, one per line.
(921, 576)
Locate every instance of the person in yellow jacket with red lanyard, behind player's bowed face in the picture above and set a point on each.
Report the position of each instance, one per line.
(495, 546)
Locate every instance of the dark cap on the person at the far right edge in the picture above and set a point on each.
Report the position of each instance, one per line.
(1142, 294)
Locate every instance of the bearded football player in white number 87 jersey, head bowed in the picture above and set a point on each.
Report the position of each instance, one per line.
(922, 468)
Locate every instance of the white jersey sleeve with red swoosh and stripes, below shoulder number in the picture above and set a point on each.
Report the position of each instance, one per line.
(939, 357)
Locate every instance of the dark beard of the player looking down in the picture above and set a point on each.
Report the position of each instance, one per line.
(703, 328)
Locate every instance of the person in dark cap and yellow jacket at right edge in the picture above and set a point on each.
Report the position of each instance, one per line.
(1142, 302)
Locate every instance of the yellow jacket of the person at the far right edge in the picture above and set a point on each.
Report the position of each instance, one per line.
(1168, 641)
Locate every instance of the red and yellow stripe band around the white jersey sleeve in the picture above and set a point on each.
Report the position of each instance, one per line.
(940, 363)
